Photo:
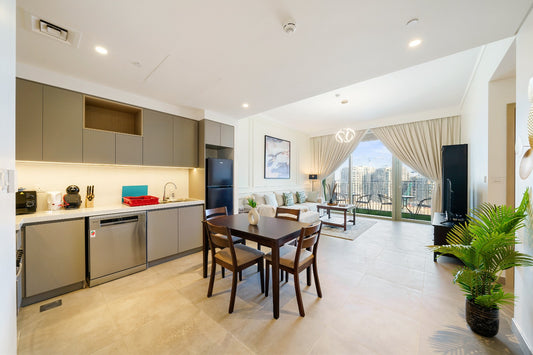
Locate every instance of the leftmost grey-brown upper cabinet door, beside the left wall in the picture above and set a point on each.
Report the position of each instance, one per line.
(29, 120)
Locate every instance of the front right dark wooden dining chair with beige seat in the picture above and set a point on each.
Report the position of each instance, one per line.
(295, 259)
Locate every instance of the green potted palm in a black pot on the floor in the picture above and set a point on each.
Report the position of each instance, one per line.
(486, 246)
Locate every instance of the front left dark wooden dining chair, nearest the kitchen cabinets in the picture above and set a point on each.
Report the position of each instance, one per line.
(234, 257)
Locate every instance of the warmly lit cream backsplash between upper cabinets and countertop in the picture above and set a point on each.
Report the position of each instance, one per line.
(107, 180)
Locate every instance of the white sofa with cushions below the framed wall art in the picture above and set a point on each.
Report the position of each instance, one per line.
(308, 211)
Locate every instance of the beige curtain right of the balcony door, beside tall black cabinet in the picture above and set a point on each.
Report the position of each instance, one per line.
(418, 144)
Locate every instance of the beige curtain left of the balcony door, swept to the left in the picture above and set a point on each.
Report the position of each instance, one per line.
(328, 154)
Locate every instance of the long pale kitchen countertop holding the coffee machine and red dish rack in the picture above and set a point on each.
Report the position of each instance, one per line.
(47, 216)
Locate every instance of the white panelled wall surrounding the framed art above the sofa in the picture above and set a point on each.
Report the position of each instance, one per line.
(249, 156)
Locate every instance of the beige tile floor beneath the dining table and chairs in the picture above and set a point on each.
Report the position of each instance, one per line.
(383, 294)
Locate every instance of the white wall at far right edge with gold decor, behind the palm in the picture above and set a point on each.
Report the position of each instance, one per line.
(523, 320)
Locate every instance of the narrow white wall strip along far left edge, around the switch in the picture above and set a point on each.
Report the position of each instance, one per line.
(8, 323)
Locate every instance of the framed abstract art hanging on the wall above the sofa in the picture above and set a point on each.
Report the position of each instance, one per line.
(277, 158)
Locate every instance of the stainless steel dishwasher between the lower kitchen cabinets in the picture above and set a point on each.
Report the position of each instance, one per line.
(116, 246)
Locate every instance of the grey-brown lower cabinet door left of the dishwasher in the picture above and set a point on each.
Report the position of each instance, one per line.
(54, 257)
